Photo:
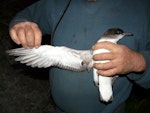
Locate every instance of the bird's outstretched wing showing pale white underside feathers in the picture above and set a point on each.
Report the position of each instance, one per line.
(46, 56)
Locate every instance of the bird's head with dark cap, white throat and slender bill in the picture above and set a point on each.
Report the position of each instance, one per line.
(114, 35)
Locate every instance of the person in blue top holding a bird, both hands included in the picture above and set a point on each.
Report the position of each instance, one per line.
(78, 24)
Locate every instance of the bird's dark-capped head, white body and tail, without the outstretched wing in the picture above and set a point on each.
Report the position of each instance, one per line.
(103, 82)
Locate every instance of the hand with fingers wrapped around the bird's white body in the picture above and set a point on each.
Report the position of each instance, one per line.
(122, 60)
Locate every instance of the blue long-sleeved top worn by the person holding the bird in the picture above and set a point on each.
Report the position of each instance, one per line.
(81, 26)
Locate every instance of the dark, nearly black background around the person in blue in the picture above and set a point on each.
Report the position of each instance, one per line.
(27, 90)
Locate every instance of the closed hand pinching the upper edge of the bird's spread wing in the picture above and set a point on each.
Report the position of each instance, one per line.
(27, 34)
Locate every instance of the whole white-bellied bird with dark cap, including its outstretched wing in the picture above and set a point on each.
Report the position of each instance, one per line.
(71, 59)
